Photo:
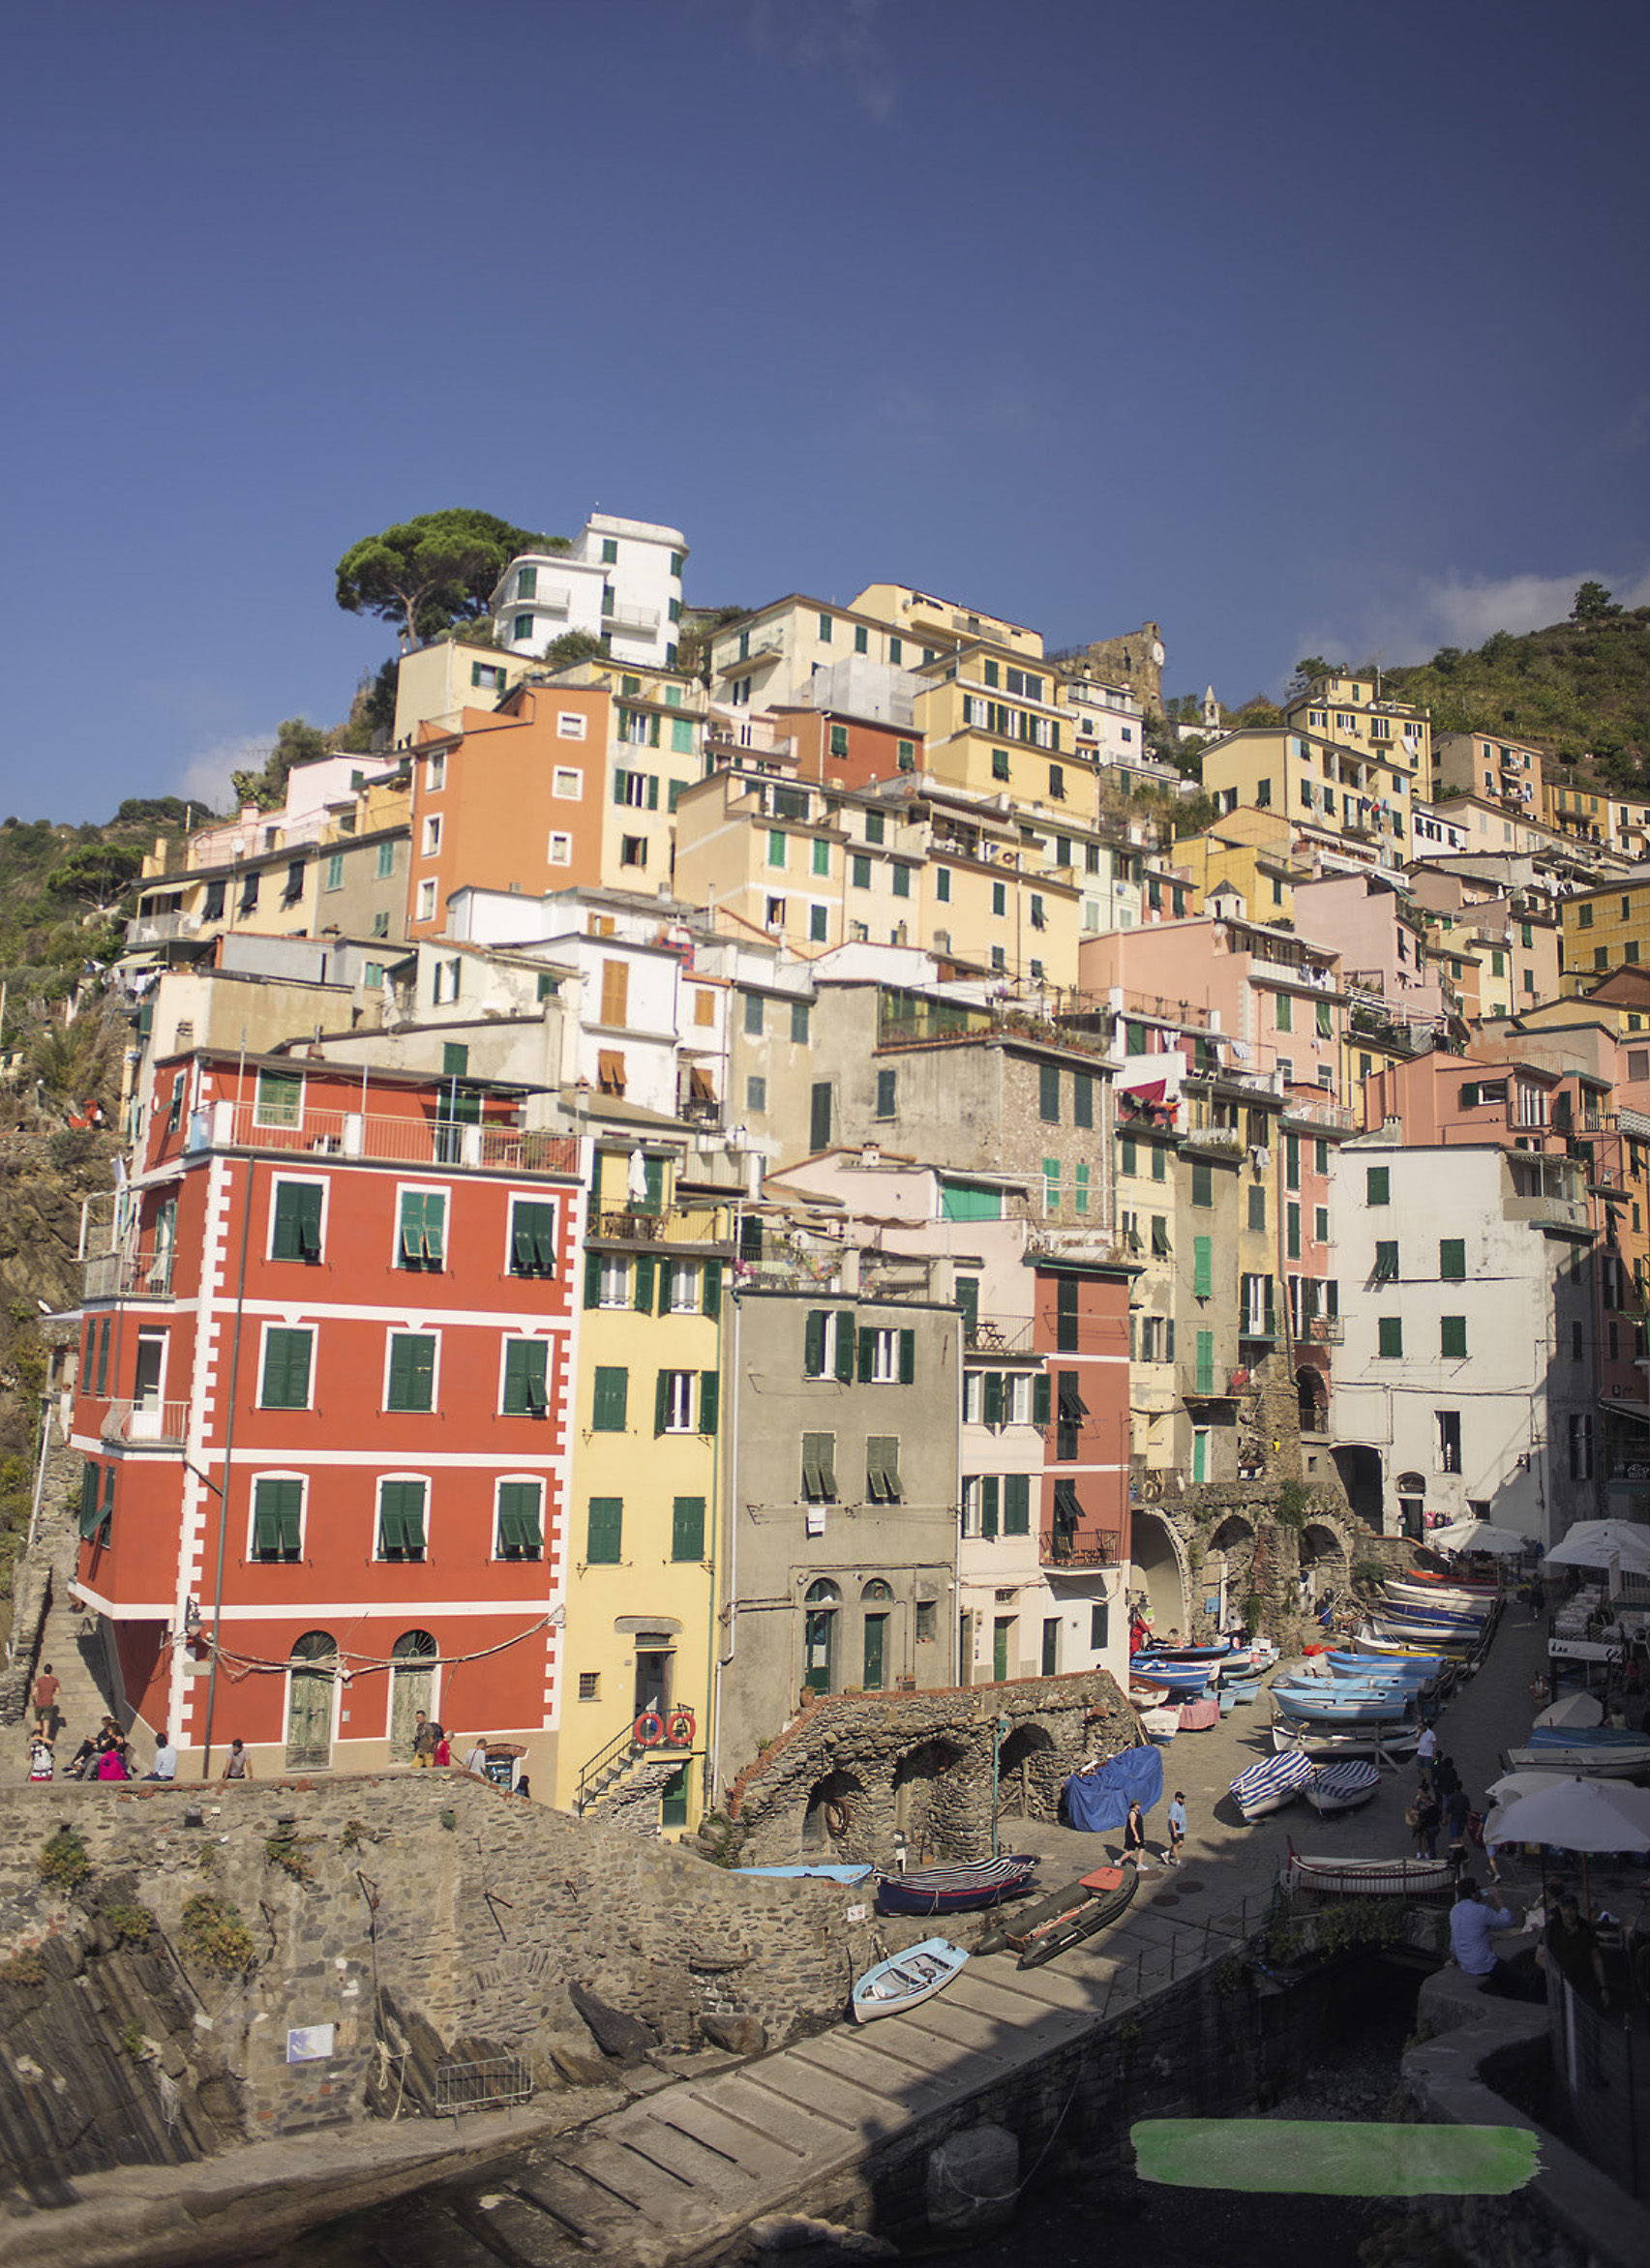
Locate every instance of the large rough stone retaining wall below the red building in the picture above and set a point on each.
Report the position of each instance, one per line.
(419, 1899)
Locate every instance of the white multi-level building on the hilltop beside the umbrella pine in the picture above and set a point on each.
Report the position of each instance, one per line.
(621, 582)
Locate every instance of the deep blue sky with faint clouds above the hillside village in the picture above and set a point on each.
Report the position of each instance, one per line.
(1290, 328)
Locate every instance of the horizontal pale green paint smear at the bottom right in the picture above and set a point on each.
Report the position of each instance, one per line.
(1331, 2158)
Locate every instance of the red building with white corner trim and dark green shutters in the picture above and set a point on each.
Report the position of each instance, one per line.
(326, 1407)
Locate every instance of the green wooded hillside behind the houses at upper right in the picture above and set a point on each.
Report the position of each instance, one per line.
(1579, 688)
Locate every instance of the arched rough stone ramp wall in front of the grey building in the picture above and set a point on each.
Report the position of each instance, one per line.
(857, 1770)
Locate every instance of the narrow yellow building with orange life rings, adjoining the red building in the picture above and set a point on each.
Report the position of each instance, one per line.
(646, 1493)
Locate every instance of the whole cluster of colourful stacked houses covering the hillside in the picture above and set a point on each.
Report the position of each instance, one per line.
(768, 1160)
